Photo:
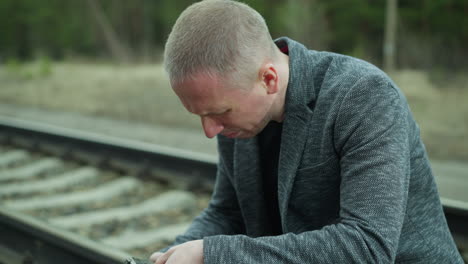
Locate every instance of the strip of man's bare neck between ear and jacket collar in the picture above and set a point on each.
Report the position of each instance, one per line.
(278, 105)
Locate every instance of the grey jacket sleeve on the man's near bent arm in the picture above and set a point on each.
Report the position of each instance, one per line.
(371, 139)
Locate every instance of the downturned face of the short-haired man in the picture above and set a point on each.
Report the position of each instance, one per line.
(226, 110)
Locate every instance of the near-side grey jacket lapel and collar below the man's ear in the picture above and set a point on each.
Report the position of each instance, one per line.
(300, 95)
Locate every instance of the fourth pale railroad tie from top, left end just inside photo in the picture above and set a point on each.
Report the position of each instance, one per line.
(101, 193)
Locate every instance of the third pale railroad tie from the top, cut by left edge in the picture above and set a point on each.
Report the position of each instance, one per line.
(59, 182)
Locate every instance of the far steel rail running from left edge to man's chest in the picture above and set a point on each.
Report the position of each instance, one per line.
(187, 163)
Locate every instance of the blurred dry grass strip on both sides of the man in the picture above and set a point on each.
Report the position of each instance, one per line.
(142, 93)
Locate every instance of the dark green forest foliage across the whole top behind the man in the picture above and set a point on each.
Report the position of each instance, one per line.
(59, 28)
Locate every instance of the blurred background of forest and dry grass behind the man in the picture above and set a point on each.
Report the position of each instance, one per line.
(102, 57)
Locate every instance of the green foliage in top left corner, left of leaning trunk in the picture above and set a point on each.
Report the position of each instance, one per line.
(52, 27)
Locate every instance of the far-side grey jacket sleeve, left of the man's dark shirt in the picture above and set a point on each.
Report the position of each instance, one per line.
(222, 216)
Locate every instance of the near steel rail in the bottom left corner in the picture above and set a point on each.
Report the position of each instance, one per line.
(25, 239)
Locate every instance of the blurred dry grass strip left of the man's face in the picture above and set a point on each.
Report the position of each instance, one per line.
(133, 92)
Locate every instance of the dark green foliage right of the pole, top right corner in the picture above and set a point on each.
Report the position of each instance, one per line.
(442, 27)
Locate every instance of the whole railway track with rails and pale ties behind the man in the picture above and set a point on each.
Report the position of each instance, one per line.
(74, 197)
